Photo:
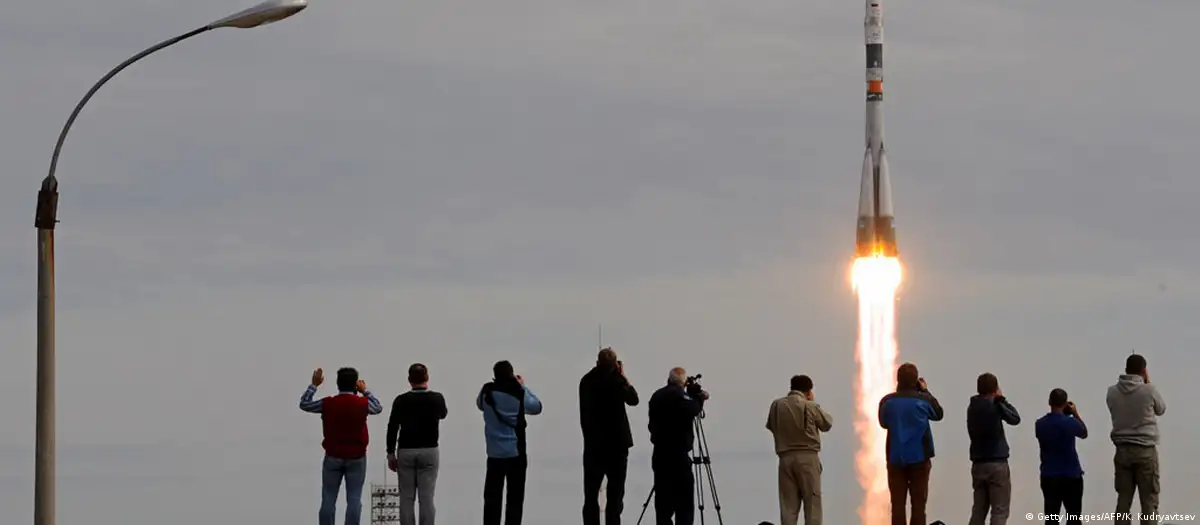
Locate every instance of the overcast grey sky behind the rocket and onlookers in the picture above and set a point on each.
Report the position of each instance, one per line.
(375, 184)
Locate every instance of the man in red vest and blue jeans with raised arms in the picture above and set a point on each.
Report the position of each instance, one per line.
(345, 426)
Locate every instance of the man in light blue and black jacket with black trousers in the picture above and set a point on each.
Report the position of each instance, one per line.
(506, 402)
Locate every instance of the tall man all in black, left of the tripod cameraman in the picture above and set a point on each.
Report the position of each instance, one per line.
(604, 394)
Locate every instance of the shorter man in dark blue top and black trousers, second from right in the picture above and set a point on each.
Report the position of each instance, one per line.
(1063, 476)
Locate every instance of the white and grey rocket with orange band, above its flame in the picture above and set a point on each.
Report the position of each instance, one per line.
(877, 234)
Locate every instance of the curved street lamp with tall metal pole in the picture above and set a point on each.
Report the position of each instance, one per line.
(46, 219)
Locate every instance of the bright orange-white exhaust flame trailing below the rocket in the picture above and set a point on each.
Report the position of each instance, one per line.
(875, 281)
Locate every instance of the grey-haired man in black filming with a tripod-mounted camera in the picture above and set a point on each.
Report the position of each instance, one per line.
(673, 412)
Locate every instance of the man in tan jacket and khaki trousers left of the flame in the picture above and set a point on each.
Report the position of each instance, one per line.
(797, 421)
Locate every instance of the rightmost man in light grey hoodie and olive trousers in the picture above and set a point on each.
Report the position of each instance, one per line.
(1136, 406)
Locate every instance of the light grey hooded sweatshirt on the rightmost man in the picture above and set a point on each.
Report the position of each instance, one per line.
(1136, 407)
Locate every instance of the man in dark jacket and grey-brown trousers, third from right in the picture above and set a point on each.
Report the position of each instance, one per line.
(991, 478)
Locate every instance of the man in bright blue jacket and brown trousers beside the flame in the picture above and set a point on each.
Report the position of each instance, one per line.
(907, 414)
